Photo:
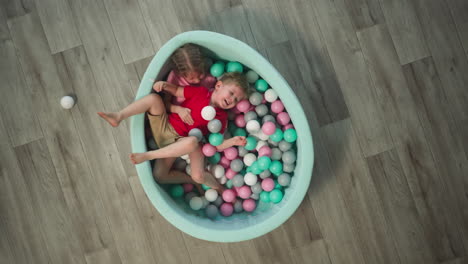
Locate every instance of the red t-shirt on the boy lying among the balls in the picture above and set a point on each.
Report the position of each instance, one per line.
(195, 99)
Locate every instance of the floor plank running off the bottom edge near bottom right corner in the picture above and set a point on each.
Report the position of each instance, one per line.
(400, 209)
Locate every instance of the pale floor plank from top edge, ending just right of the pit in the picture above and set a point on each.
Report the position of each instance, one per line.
(313, 60)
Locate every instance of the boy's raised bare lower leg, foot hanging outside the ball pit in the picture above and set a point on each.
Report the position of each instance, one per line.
(151, 103)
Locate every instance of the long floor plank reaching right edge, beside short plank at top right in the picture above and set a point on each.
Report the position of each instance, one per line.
(449, 57)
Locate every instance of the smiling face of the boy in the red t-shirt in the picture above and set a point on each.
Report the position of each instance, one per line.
(226, 96)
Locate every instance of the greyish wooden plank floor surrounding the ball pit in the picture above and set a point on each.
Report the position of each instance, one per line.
(384, 84)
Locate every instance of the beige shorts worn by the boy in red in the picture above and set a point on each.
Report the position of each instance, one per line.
(163, 132)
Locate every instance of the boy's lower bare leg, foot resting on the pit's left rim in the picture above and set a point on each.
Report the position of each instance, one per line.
(180, 147)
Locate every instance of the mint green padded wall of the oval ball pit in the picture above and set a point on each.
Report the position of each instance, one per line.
(267, 216)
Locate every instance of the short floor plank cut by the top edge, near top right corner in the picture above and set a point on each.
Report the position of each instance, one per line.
(405, 30)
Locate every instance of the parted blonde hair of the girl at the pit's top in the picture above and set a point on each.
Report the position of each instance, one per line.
(189, 58)
